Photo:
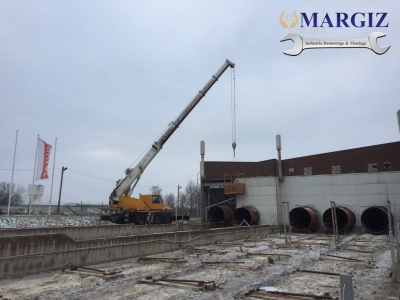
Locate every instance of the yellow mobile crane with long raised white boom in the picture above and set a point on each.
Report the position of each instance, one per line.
(150, 208)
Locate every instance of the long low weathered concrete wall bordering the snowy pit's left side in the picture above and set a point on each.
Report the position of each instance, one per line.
(27, 254)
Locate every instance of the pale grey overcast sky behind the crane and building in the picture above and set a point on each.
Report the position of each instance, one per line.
(106, 77)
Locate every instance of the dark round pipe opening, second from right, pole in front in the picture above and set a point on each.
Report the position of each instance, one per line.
(345, 219)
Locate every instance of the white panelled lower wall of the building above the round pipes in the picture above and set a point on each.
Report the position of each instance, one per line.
(355, 191)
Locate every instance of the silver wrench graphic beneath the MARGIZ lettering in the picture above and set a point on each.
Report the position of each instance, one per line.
(302, 43)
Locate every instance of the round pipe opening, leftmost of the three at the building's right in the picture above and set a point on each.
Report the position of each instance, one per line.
(304, 219)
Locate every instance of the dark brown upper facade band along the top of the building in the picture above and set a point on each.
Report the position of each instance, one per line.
(349, 161)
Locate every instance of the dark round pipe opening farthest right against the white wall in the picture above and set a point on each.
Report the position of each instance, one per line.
(375, 219)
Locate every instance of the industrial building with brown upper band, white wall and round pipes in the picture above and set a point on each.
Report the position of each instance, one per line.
(359, 182)
